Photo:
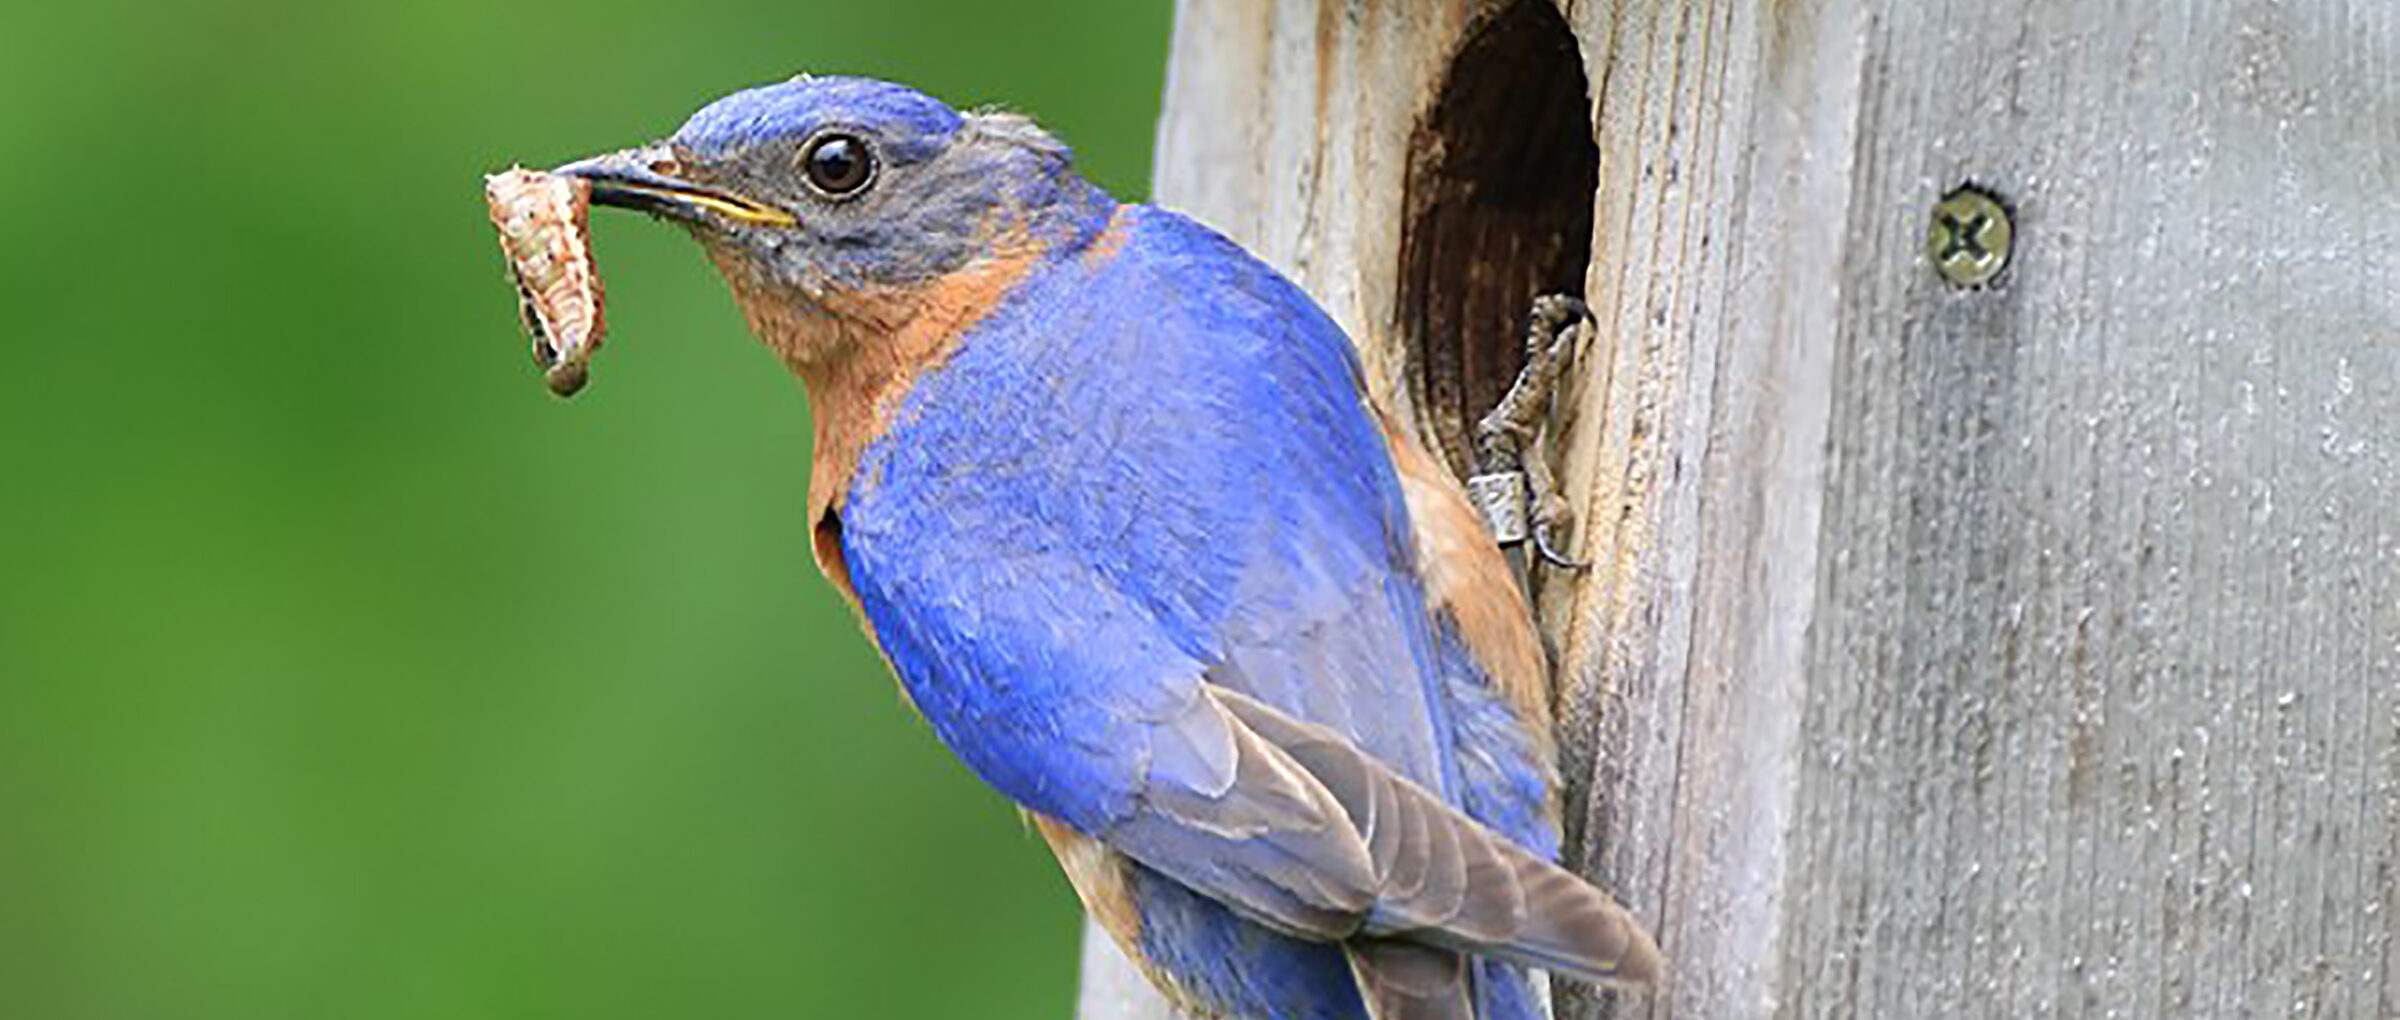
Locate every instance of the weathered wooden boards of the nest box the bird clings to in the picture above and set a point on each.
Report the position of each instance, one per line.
(1950, 654)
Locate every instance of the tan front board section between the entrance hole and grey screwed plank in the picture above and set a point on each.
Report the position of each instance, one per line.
(1698, 450)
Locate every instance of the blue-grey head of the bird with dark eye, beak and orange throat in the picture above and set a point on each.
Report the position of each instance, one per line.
(834, 203)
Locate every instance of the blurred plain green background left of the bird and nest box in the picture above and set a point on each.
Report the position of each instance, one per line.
(347, 673)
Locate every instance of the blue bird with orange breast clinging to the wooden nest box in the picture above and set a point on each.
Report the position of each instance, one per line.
(1117, 508)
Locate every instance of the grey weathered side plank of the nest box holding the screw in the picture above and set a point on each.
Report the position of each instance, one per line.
(2104, 707)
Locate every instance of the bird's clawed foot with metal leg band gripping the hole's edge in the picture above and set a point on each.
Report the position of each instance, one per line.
(1511, 472)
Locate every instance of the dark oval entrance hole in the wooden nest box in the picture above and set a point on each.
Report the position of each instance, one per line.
(1499, 210)
